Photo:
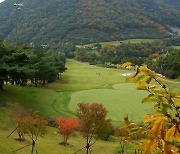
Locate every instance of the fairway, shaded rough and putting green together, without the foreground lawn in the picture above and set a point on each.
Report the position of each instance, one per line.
(81, 82)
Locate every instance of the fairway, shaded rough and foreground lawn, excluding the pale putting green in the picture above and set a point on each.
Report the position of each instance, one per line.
(53, 101)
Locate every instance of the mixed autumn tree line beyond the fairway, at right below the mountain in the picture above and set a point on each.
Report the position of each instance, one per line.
(157, 55)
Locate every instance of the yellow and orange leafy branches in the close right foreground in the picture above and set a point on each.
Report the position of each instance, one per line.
(164, 124)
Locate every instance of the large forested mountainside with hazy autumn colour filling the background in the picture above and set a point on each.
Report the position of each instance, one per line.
(84, 21)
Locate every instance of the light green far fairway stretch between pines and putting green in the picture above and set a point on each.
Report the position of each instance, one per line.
(80, 76)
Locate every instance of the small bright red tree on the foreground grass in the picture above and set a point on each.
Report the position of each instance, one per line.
(66, 128)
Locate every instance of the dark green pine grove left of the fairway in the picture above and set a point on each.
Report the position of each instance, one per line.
(23, 65)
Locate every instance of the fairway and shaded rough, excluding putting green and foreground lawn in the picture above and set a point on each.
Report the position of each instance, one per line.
(53, 101)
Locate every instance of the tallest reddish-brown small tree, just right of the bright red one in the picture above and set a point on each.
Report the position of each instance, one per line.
(91, 122)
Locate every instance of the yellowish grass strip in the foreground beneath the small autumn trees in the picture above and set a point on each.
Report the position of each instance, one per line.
(49, 144)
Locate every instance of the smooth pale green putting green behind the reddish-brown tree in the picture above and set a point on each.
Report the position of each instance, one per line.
(120, 101)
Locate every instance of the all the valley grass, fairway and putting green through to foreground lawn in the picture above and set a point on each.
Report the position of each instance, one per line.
(80, 81)
